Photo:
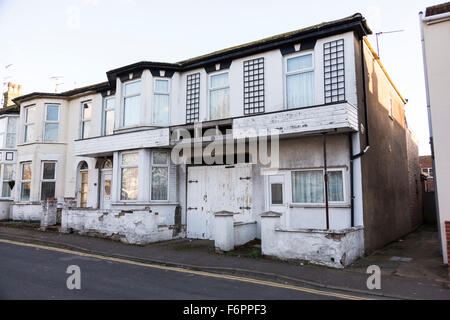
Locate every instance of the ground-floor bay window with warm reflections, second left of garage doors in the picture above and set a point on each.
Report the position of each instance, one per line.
(129, 176)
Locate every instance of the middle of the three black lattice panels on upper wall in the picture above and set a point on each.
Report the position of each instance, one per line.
(254, 86)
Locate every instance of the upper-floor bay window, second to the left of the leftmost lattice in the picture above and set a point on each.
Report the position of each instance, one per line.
(131, 103)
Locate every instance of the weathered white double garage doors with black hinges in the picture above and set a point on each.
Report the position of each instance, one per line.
(217, 188)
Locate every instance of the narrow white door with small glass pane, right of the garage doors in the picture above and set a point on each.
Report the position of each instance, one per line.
(277, 197)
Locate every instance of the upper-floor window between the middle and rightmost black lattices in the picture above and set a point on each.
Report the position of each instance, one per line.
(300, 81)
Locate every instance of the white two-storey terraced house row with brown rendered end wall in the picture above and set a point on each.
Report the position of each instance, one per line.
(345, 178)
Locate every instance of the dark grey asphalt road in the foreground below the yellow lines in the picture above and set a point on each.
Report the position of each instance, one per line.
(34, 273)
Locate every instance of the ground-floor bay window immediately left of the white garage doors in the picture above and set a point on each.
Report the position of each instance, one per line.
(160, 175)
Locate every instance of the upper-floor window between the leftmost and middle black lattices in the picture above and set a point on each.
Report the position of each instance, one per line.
(219, 96)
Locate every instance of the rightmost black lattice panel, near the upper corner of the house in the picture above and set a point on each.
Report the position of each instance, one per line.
(333, 58)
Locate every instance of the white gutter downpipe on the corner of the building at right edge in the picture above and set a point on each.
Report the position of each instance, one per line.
(430, 127)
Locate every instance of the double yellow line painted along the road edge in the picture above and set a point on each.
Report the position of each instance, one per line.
(182, 270)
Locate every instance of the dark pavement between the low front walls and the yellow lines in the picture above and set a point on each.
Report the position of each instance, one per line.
(247, 262)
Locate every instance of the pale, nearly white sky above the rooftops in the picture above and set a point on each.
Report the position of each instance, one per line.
(82, 39)
